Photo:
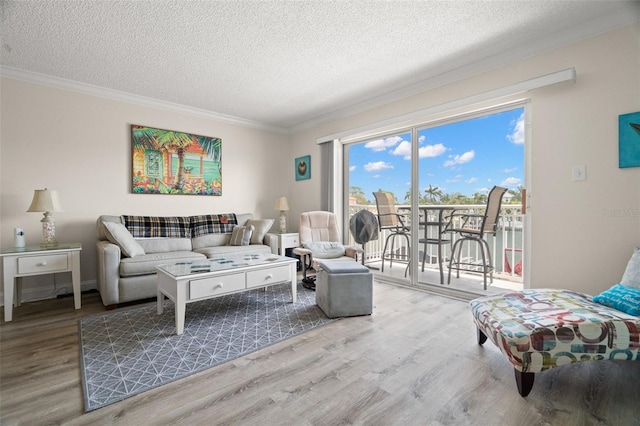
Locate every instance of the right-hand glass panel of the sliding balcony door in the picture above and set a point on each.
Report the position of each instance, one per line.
(459, 162)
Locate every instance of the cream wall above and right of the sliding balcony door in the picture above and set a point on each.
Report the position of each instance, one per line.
(577, 243)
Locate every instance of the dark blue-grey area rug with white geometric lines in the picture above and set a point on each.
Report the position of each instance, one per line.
(128, 352)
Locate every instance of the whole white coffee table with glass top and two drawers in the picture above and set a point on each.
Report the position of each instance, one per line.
(191, 281)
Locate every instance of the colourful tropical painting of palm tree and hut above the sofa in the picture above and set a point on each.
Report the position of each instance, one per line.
(170, 162)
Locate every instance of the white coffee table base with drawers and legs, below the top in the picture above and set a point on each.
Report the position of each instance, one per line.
(206, 285)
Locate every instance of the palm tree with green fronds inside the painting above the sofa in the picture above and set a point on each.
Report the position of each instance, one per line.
(168, 141)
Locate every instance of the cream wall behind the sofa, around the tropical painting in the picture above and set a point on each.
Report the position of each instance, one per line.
(80, 145)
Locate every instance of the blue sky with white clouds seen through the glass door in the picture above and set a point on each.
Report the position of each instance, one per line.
(467, 157)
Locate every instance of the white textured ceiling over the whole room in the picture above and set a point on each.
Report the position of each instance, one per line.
(286, 63)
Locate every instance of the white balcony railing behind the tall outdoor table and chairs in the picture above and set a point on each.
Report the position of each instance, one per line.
(506, 247)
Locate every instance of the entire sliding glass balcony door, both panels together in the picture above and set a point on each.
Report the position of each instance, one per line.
(452, 166)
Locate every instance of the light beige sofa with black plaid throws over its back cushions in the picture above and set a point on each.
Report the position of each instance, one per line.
(130, 247)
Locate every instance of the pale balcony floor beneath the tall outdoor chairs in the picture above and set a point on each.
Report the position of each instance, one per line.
(467, 287)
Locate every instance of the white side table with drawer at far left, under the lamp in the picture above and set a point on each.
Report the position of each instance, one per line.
(36, 260)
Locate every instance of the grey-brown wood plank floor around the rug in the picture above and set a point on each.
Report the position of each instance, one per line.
(415, 361)
